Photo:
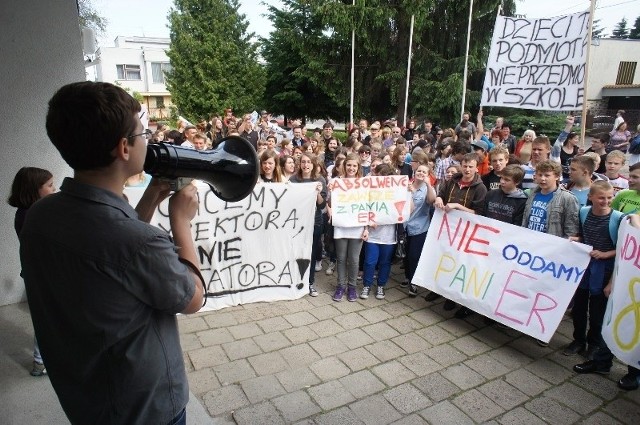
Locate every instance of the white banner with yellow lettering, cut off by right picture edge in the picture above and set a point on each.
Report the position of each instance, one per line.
(621, 327)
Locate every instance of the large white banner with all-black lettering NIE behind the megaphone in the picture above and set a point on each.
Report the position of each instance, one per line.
(258, 249)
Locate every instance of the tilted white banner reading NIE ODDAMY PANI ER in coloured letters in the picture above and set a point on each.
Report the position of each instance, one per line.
(519, 277)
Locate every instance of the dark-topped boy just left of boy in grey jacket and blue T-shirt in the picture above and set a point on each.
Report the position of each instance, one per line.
(507, 203)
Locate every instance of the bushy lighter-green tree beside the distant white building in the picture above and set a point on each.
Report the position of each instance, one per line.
(214, 60)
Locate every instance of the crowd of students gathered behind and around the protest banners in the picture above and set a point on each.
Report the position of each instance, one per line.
(559, 189)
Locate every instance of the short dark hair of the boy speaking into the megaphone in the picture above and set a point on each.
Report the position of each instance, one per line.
(86, 120)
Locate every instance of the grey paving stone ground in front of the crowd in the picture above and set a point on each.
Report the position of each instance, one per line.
(399, 360)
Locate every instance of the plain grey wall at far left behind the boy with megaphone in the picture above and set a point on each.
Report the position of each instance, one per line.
(38, 58)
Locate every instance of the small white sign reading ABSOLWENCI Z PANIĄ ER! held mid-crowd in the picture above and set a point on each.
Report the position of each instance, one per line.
(373, 199)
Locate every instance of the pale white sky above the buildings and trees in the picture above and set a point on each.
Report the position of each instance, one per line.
(149, 17)
